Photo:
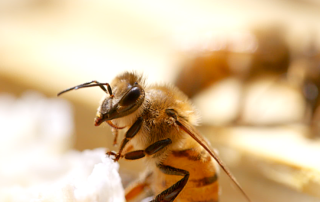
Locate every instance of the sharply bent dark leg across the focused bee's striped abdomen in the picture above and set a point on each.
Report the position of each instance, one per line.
(172, 192)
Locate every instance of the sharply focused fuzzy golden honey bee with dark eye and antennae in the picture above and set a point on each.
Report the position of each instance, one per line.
(161, 128)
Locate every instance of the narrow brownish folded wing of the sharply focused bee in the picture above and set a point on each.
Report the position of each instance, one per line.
(192, 131)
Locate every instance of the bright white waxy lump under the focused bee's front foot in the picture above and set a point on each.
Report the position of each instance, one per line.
(36, 163)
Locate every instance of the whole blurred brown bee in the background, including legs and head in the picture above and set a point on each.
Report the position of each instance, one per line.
(250, 56)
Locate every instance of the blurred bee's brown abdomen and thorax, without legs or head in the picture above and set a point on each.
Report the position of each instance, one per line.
(243, 54)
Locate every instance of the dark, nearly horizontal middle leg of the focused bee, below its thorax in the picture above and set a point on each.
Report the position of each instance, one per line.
(150, 150)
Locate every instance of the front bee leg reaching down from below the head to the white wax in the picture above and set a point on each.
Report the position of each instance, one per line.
(133, 130)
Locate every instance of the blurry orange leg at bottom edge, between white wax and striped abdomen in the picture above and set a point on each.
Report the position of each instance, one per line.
(138, 187)
